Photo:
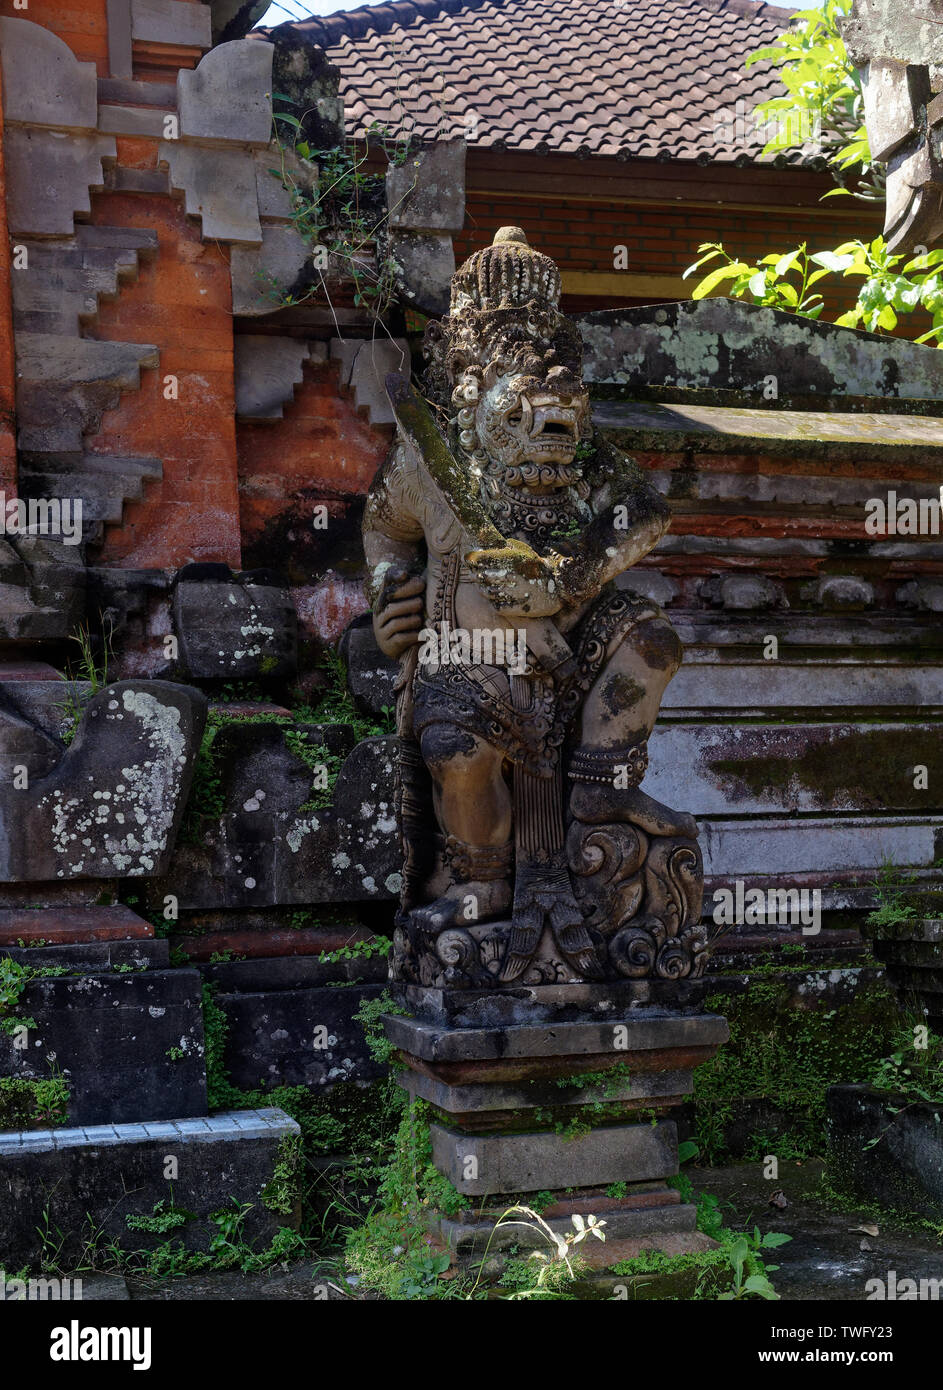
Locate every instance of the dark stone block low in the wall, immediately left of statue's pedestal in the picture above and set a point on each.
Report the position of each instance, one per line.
(298, 1038)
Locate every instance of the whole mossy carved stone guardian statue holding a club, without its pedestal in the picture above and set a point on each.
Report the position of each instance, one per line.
(529, 685)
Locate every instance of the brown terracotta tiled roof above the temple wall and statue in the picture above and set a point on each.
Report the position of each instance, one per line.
(643, 79)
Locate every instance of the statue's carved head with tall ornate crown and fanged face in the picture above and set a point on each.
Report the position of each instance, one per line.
(508, 368)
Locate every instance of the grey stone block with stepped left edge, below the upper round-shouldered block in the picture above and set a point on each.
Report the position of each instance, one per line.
(219, 187)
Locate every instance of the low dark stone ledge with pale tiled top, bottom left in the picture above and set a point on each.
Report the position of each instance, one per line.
(90, 1181)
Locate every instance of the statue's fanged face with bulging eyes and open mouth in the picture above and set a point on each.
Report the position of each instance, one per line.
(521, 425)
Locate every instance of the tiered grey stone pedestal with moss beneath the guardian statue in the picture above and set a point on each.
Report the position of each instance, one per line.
(557, 1089)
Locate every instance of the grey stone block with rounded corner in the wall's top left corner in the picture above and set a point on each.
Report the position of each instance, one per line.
(44, 83)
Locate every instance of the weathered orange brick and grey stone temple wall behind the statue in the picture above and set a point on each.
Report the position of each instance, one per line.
(222, 425)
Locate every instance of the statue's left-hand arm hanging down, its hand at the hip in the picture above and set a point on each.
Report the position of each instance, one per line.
(393, 544)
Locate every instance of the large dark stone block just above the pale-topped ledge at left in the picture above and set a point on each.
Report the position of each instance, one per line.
(129, 1046)
